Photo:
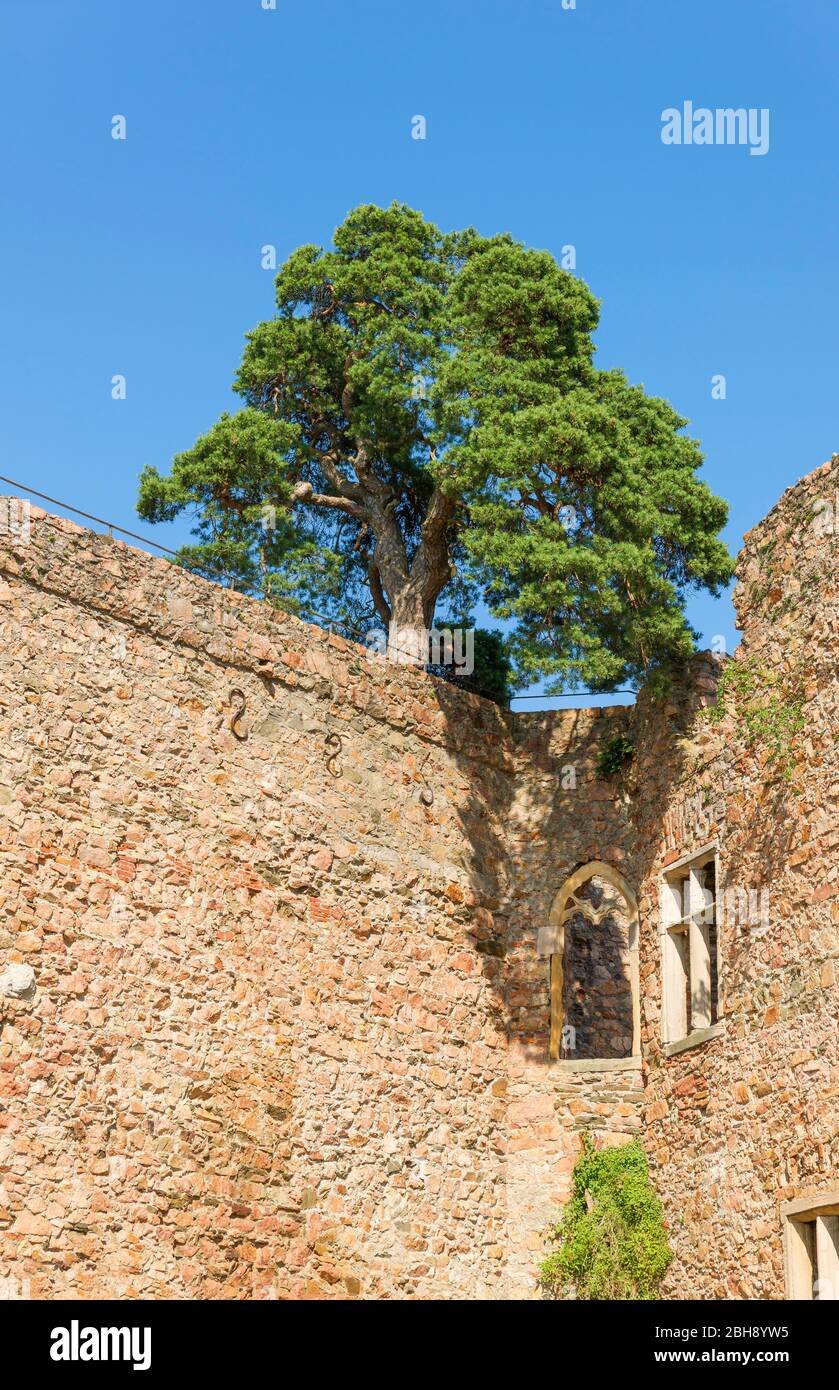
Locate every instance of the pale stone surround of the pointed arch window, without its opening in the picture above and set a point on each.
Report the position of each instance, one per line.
(552, 945)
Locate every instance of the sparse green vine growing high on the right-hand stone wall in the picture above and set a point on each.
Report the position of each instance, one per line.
(769, 710)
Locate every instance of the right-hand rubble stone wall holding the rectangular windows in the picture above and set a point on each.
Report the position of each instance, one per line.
(751, 1120)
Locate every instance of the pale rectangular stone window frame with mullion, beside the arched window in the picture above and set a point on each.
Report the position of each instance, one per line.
(683, 945)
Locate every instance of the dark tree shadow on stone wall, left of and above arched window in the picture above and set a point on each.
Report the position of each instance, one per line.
(535, 811)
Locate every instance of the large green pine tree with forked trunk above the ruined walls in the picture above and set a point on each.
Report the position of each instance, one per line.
(424, 427)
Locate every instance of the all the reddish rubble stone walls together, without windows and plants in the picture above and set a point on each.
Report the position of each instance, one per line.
(273, 1018)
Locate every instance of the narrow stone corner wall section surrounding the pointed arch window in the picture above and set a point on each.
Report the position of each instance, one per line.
(562, 817)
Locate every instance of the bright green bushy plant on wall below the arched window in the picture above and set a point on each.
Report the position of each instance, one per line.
(610, 1242)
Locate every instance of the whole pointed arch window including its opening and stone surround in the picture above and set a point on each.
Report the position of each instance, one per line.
(591, 942)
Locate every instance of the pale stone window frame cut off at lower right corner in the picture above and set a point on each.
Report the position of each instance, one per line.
(812, 1249)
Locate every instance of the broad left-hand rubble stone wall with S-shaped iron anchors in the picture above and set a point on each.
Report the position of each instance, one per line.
(265, 1052)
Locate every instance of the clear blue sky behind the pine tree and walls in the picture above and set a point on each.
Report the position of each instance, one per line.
(251, 127)
